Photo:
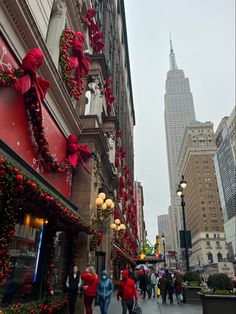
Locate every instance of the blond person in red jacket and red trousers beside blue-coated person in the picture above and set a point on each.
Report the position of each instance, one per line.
(90, 281)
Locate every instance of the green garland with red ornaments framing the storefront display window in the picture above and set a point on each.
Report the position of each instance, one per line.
(22, 195)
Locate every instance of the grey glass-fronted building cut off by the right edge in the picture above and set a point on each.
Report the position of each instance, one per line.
(225, 164)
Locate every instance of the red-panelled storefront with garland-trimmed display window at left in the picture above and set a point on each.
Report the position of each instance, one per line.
(39, 238)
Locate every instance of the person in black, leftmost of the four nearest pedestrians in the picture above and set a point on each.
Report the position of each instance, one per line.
(73, 284)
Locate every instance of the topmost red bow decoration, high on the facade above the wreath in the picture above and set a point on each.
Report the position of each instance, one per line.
(95, 36)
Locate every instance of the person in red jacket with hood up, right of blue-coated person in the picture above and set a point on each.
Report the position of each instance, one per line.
(127, 292)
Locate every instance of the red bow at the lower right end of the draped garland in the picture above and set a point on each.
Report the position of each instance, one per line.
(77, 153)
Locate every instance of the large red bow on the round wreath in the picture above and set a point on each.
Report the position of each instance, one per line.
(79, 63)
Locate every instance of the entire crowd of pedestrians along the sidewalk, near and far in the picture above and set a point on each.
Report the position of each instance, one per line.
(147, 282)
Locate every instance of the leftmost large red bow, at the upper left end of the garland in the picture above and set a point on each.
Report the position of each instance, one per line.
(30, 64)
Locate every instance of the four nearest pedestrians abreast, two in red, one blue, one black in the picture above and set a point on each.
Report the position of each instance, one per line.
(89, 285)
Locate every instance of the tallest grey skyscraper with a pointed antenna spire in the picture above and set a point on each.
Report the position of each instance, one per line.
(179, 112)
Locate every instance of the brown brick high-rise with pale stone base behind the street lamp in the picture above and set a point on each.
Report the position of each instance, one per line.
(203, 210)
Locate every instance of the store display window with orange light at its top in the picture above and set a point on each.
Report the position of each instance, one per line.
(25, 253)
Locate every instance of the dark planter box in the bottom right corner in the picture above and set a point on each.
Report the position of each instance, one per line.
(218, 304)
